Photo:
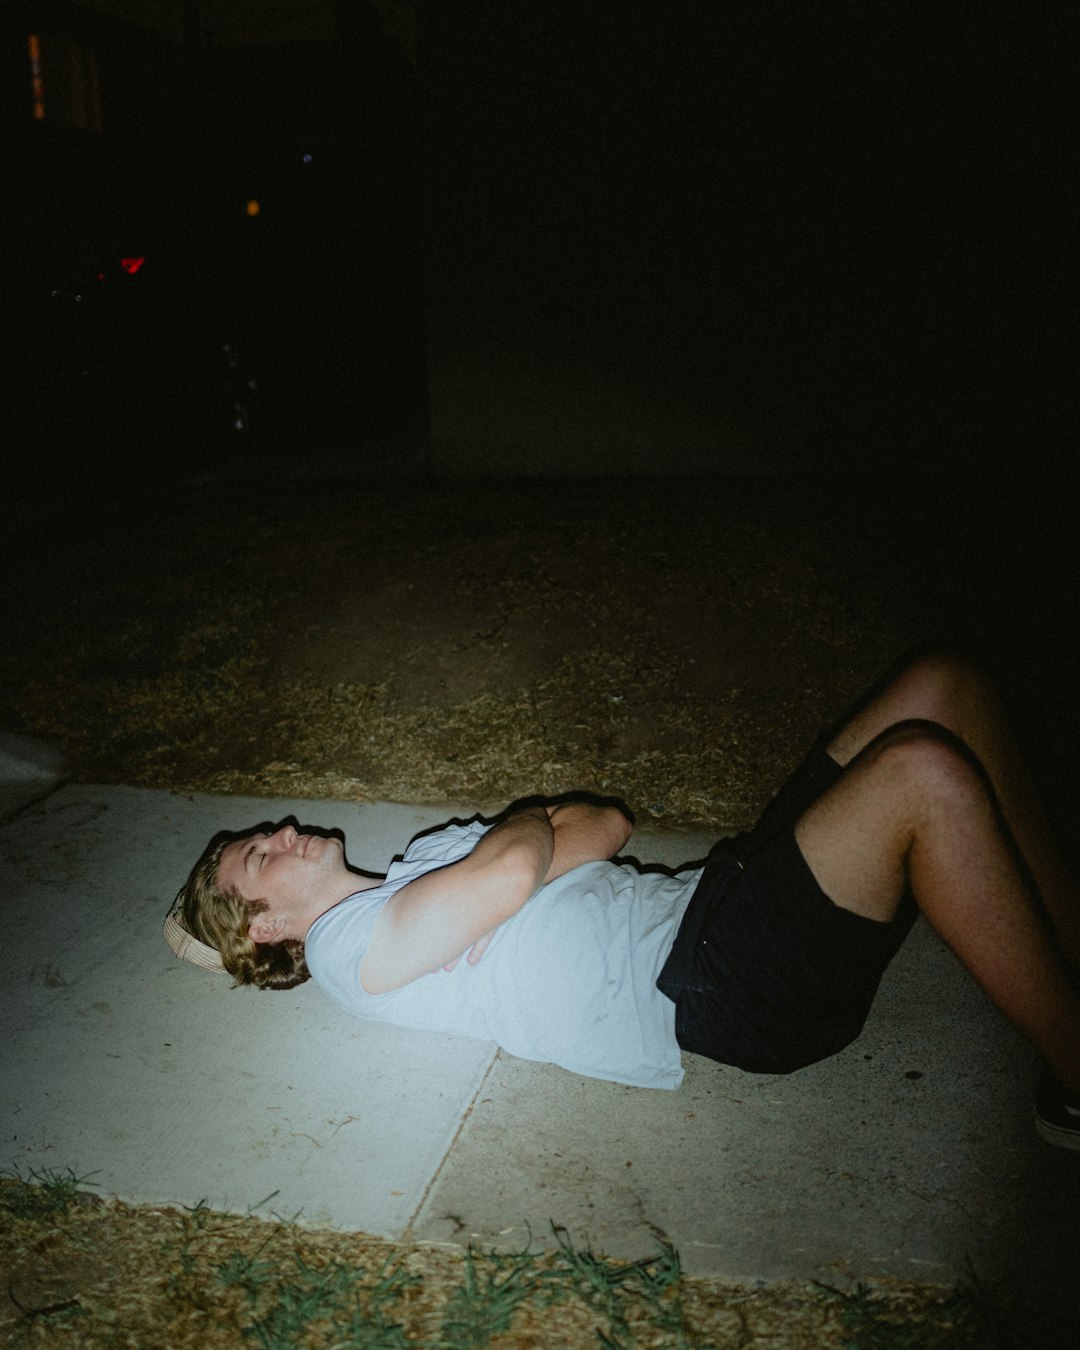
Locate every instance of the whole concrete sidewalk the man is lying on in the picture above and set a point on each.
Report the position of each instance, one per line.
(909, 1156)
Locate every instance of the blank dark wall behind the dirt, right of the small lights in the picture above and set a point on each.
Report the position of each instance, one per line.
(828, 237)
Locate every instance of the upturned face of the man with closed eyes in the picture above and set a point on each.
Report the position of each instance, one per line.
(298, 875)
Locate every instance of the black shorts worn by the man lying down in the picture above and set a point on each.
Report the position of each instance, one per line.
(767, 973)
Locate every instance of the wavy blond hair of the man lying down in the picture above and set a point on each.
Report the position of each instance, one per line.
(222, 917)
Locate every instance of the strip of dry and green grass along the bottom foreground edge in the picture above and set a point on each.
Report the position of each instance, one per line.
(113, 1275)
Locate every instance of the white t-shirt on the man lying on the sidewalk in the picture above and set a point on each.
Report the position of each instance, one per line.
(569, 981)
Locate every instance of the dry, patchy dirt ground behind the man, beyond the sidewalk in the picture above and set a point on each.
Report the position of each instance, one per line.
(670, 645)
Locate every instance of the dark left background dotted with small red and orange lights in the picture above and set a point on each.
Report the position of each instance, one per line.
(318, 299)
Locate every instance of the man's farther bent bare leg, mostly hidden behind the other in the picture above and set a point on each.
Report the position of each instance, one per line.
(958, 696)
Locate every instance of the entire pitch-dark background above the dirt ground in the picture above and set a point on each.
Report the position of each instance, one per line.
(566, 238)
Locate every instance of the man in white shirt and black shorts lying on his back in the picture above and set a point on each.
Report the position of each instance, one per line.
(767, 958)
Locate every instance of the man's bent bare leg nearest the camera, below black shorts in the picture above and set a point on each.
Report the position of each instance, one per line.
(913, 811)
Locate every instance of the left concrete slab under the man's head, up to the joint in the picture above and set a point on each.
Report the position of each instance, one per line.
(165, 1082)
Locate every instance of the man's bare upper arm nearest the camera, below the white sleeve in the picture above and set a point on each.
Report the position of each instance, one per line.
(435, 919)
